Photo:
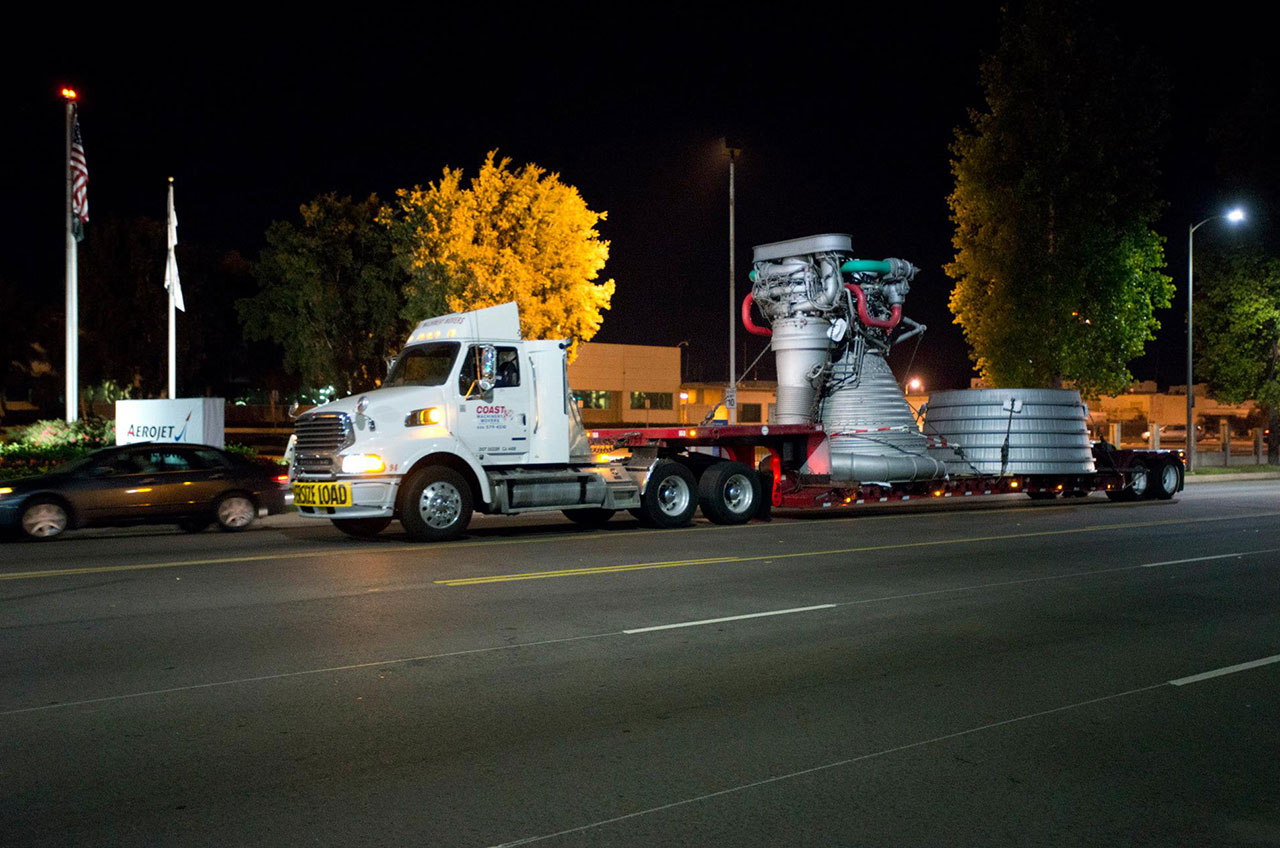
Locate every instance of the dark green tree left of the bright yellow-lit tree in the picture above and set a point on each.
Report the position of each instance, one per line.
(330, 294)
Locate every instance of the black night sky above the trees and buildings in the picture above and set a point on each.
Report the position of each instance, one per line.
(844, 121)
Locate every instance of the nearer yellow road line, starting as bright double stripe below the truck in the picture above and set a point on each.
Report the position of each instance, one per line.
(796, 555)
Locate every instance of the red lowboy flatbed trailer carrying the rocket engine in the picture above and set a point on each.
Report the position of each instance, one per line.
(778, 452)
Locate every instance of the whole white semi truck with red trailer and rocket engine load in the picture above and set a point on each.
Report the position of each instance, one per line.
(472, 417)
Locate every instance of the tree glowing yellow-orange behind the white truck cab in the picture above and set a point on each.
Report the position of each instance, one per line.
(509, 235)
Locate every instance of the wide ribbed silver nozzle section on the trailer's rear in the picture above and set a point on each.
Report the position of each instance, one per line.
(1046, 431)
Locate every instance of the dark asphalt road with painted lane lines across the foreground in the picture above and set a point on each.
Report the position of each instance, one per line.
(985, 673)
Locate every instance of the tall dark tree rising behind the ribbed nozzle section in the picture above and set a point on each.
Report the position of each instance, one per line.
(1058, 267)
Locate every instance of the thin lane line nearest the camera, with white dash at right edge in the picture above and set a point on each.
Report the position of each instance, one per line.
(885, 753)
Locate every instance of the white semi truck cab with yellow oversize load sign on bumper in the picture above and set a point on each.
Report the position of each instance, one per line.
(472, 417)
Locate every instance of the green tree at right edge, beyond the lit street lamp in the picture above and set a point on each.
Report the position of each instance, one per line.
(1238, 334)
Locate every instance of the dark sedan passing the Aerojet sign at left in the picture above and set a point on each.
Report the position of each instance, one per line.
(191, 486)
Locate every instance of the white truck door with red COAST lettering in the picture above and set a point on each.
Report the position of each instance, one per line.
(495, 425)
